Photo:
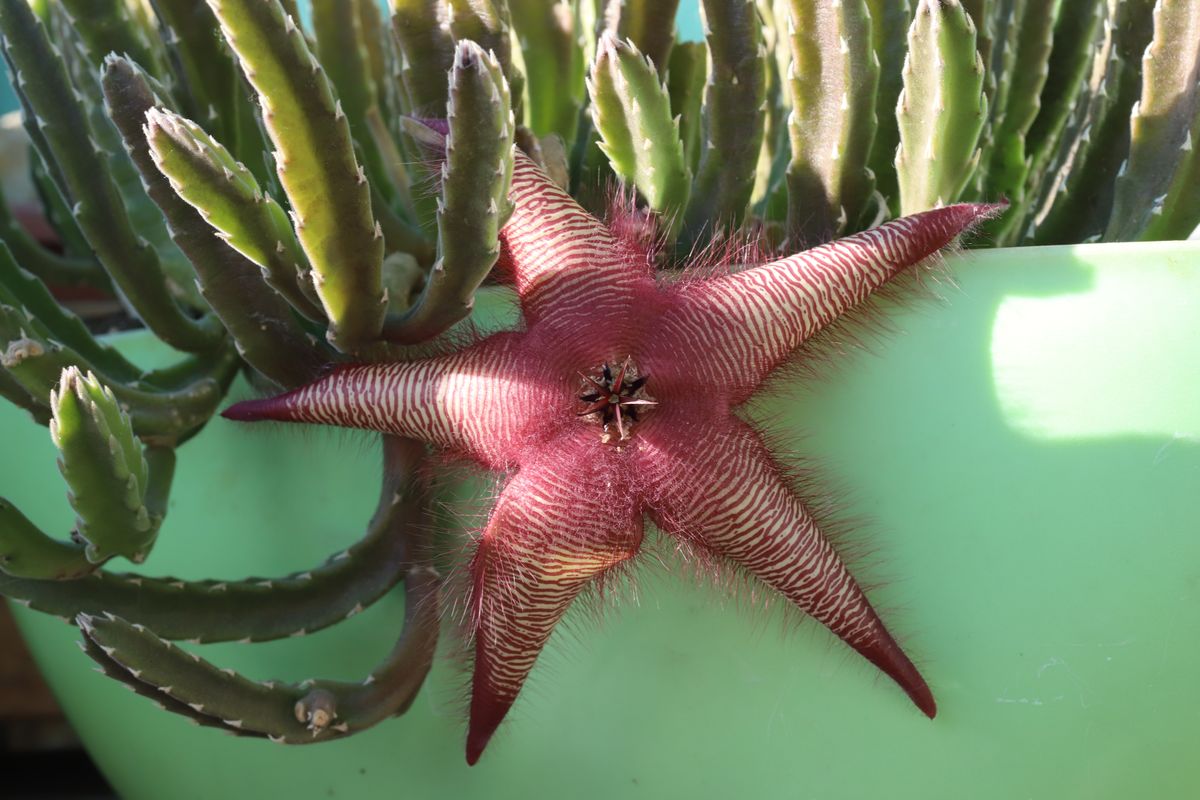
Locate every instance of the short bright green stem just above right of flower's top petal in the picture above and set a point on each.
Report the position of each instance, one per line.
(632, 111)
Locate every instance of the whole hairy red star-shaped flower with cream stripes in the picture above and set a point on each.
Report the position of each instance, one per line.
(617, 404)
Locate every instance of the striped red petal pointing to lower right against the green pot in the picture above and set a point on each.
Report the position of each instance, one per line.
(722, 491)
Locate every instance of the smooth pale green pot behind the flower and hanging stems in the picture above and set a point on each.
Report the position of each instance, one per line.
(1030, 454)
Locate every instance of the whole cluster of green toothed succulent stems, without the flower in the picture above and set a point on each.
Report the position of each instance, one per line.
(265, 199)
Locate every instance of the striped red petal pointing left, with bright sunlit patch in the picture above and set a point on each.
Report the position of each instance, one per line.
(482, 402)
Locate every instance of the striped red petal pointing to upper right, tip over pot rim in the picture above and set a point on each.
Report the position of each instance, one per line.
(737, 328)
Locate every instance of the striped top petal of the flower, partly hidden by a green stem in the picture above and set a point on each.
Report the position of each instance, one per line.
(574, 276)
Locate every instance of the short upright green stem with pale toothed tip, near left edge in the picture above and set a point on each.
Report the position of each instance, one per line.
(103, 464)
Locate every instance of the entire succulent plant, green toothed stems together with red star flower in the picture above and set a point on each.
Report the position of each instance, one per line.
(319, 209)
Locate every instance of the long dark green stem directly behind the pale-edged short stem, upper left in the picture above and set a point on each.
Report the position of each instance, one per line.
(260, 321)
